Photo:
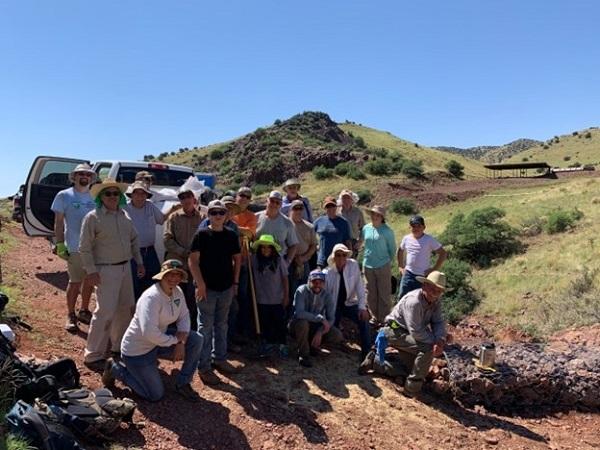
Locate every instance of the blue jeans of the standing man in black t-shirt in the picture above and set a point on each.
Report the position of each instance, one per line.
(213, 313)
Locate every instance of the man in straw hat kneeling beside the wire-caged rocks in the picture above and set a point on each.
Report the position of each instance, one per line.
(417, 329)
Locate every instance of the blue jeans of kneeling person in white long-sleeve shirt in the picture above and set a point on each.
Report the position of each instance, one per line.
(141, 374)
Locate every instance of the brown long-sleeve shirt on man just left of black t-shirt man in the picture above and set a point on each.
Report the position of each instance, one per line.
(180, 229)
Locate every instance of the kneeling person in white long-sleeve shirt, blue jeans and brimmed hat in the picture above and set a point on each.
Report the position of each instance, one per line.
(149, 337)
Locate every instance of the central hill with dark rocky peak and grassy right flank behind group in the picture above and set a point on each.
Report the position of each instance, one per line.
(293, 147)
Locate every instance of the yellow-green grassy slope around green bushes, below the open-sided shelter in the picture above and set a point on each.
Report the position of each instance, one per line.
(513, 290)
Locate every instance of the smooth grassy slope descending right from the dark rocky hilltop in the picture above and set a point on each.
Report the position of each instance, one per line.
(432, 159)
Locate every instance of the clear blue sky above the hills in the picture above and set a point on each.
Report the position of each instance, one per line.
(120, 79)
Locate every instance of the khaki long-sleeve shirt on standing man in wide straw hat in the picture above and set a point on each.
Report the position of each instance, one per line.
(107, 237)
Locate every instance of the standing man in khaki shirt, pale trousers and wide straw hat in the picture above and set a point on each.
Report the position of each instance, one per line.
(108, 242)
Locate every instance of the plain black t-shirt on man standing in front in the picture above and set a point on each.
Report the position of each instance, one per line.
(216, 250)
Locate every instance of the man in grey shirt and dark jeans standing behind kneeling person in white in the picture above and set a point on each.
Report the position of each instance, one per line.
(145, 216)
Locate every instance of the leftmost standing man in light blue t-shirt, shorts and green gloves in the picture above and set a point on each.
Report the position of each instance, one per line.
(70, 207)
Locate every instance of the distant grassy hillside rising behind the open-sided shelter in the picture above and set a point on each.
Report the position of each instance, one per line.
(578, 148)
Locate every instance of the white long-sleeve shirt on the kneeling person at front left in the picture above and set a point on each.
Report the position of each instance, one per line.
(154, 312)
